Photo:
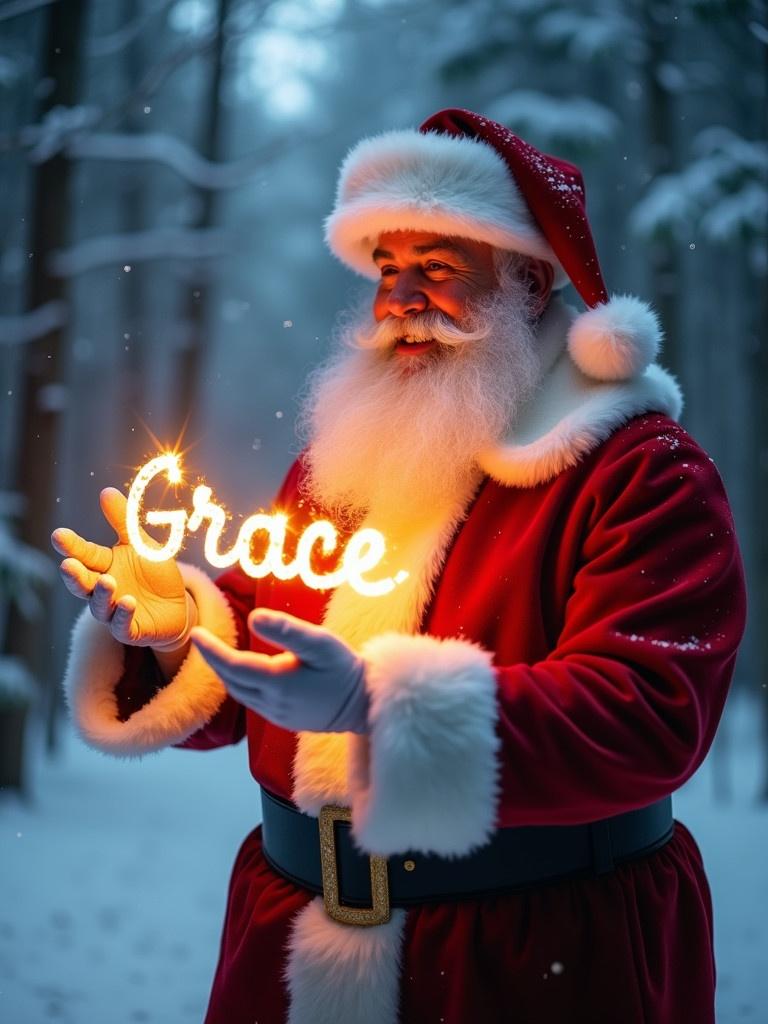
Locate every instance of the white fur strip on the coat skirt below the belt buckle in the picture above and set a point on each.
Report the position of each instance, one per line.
(343, 974)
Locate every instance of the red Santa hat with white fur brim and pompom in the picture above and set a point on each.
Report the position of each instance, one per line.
(464, 176)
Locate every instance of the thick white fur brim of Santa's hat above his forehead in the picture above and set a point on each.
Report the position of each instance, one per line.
(430, 182)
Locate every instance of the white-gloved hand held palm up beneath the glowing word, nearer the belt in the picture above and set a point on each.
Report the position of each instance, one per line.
(316, 685)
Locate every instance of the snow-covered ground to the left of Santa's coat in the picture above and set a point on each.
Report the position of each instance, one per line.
(113, 882)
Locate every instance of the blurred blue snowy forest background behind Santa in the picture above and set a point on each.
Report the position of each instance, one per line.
(166, 167)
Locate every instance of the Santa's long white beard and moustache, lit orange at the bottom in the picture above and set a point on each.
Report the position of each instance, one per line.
(397, 436)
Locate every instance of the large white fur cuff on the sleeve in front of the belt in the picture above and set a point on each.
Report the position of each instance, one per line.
(425, 778)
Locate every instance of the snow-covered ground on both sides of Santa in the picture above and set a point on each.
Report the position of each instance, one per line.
(113, 882)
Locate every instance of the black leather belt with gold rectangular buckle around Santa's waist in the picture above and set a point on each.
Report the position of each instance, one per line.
(326, 861)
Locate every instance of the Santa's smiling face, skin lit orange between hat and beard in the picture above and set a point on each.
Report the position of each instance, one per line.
(423, 272)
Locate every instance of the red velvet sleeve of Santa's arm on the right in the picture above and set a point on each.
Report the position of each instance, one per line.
(625, 708)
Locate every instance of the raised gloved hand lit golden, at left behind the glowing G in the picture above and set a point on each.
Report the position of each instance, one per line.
(144, 603)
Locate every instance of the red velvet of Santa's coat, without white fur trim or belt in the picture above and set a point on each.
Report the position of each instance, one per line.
(613, 600)
